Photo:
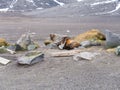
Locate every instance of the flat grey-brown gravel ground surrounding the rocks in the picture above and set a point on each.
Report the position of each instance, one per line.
(59, 73)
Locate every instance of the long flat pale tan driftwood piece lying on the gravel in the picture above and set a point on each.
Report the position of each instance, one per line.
(65, 53)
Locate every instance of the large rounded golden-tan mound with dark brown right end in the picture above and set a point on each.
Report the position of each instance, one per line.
(91, 34)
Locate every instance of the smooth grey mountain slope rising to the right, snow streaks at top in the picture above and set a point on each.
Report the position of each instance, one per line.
(82, 8)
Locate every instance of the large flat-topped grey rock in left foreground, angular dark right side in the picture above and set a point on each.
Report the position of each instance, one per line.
(31, 58)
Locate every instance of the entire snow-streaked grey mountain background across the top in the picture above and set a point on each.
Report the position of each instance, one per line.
(56, 8)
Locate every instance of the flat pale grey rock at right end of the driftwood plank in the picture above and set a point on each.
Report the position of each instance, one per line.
(85, 56)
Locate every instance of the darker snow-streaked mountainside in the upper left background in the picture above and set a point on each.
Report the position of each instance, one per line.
(27, 5)
